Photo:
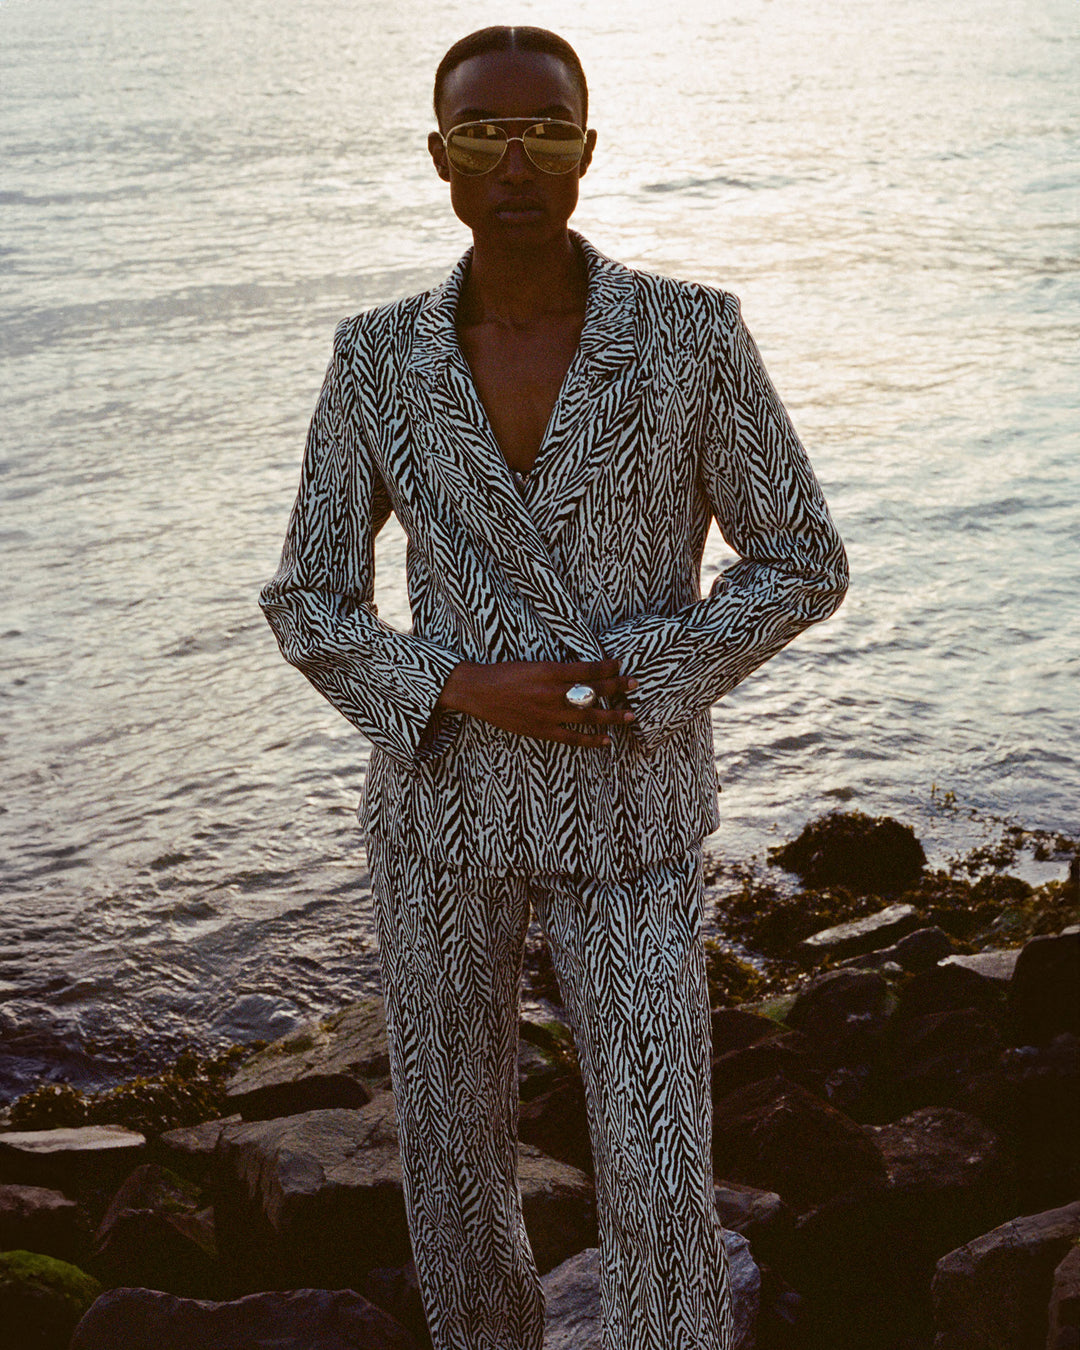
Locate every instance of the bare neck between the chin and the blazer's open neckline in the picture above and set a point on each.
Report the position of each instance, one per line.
(515, 288)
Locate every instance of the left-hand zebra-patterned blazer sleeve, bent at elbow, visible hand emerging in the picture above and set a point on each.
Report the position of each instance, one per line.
(321, 603)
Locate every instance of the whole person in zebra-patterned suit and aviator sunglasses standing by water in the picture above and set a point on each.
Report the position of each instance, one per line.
(554, 433)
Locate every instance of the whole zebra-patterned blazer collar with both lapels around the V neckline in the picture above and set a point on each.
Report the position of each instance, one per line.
(450, 426)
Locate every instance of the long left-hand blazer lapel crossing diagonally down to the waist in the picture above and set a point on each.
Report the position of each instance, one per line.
(456, 438)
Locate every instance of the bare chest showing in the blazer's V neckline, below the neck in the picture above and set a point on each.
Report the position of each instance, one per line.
(519, 376)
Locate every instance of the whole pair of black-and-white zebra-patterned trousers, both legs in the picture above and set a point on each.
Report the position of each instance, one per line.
(630, 963)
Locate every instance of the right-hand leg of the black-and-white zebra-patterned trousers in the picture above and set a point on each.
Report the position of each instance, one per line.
(631, 967)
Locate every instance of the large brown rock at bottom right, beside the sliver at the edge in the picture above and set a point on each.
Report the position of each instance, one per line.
(994, 1293)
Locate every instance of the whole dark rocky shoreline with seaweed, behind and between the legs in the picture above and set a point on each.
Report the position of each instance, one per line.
(897, 1104)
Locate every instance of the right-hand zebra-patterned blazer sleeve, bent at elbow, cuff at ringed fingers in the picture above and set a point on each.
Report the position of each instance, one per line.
(792, 570)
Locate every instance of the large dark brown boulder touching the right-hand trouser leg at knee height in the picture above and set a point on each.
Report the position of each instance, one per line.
(778, 1136)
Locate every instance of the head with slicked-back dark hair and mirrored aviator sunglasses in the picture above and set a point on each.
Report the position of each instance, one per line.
(495, 87)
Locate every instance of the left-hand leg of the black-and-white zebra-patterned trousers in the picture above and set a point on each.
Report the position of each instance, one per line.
(452, 951)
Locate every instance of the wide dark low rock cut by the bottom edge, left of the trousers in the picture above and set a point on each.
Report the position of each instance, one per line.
(300, 1320)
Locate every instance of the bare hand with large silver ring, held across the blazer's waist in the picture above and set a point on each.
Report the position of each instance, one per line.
(529, 699)
